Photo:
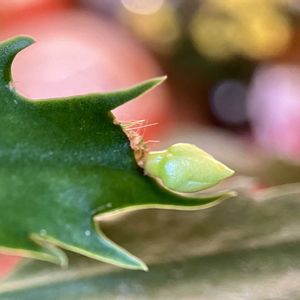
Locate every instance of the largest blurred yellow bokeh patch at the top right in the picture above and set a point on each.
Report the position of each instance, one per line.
(255, 29)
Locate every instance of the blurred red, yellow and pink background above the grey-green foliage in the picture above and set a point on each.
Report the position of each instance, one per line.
(233, 70)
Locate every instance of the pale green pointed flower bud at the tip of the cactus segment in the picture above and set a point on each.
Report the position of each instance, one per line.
(186, 168)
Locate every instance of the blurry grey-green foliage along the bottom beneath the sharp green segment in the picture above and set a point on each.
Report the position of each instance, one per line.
(245, 248)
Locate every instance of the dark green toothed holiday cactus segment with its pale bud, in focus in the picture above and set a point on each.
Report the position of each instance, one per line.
(67, 162)
